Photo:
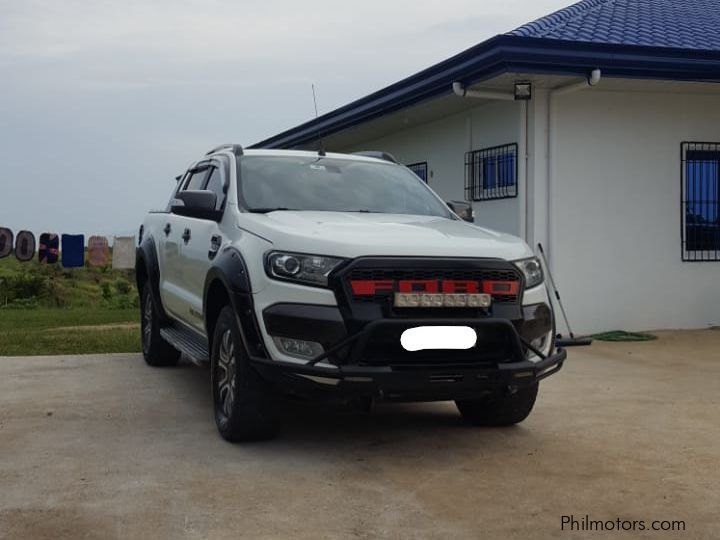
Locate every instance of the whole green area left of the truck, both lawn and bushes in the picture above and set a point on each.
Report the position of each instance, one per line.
(48, 309)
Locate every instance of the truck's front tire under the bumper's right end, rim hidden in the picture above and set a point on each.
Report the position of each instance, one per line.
(501, 409)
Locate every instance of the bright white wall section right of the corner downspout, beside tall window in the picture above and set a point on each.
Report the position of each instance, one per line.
(615, 233)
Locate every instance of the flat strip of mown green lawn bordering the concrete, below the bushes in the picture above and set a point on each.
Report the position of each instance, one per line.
(51, 331)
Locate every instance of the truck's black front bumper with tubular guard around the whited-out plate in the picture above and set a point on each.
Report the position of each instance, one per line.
(372, 362)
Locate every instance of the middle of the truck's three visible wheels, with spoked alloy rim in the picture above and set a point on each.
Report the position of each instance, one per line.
(244, 403)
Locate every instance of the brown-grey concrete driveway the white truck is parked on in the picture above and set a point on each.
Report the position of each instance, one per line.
(105, 447)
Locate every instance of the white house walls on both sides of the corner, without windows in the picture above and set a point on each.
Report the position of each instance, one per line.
(615, 233)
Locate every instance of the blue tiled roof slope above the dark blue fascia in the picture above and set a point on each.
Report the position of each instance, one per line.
(686, 24)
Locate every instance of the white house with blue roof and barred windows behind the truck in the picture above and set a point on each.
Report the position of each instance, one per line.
(612, 164)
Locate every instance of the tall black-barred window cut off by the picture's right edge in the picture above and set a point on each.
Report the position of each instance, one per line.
(700, 201)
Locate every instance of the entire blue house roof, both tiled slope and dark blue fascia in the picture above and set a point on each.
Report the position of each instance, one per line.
(642, 39)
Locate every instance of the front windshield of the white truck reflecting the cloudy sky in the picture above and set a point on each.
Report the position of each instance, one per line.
(338, 185)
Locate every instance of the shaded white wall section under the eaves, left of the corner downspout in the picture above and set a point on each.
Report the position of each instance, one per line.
(443, 143)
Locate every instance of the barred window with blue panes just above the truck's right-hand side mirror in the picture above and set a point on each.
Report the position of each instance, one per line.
(491, 173)
